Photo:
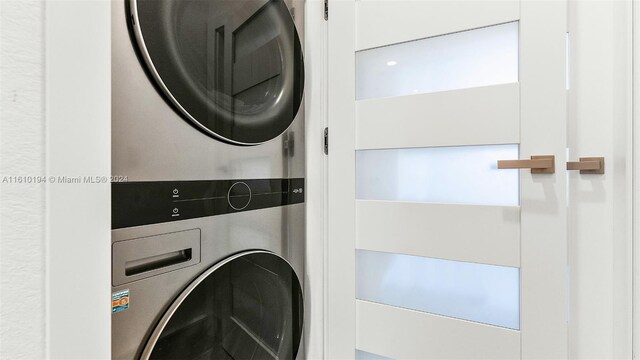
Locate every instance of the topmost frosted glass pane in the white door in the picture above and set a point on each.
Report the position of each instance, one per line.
(480, 57)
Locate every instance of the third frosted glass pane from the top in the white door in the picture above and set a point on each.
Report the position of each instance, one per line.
(487, 294)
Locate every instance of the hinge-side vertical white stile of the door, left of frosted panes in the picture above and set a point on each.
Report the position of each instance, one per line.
(340, 264)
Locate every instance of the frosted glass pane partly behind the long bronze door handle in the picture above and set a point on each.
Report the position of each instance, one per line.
(449, 175)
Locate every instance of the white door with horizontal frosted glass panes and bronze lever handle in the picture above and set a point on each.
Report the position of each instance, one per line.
(434, 252)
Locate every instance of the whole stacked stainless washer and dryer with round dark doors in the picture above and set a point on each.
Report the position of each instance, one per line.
(208, 230)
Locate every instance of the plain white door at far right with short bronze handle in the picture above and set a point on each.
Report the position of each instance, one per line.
(601, 208)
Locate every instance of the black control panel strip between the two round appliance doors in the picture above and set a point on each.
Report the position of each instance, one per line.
(152, 202)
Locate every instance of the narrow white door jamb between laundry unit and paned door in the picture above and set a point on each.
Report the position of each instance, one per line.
(316, 160)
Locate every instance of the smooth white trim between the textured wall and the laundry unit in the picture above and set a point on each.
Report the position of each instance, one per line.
(78, 216)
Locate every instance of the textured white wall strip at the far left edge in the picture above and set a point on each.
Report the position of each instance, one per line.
(22, 207)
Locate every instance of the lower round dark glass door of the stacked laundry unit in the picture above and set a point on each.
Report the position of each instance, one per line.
(249, 306)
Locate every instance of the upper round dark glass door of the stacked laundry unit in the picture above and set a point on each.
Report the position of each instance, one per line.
(234, 68)
